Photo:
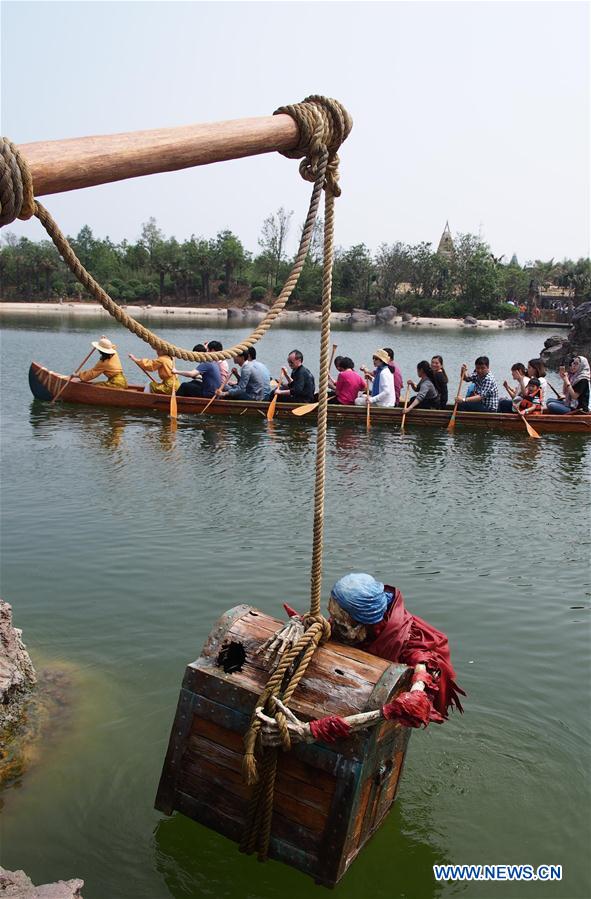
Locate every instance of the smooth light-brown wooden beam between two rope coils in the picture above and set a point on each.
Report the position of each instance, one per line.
(62, 165)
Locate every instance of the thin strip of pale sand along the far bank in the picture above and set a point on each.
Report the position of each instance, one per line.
(143, 313)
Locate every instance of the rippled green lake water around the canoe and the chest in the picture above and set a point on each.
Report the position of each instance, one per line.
(121, 546)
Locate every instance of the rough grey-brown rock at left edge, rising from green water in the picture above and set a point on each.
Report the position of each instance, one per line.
(17, 675)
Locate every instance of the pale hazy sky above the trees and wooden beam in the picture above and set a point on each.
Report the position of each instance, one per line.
(468, 111)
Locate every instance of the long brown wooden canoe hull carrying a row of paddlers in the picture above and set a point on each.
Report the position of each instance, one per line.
(45, 384)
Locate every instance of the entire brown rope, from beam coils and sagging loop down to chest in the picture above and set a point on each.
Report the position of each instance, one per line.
(323, 125)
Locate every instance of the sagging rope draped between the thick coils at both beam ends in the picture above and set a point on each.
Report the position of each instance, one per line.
(323, 125)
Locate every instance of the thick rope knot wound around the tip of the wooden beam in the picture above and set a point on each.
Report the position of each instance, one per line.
(323, 124)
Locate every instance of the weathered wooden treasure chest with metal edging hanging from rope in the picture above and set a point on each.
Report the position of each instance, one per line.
(329, 799)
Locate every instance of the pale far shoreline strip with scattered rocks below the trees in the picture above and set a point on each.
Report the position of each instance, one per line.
(361, 318)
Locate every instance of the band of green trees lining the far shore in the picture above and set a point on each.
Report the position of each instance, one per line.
(156, 268)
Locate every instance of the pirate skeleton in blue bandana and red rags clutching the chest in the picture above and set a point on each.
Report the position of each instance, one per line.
(372, 616)
